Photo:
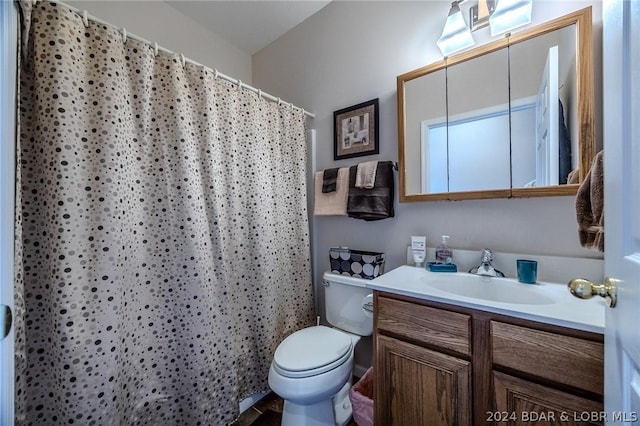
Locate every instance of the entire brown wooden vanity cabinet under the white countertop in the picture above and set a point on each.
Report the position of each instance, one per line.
(439, 364)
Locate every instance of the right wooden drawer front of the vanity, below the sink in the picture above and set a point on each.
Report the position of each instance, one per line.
(568, 360)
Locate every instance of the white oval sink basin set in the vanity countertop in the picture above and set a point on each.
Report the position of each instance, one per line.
(500, 290)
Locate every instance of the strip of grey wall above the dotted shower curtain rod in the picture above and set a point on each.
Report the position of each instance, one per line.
(158, 22)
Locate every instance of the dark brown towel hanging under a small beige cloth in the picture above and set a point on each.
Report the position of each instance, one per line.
(375, 203)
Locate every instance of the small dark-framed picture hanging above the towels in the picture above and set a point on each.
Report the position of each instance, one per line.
(356, 130)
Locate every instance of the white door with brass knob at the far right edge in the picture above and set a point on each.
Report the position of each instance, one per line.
(621, 90)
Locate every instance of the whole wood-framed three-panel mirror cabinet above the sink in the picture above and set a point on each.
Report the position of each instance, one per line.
(512, 118)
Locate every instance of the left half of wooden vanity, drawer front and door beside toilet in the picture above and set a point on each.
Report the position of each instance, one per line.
(422, 363)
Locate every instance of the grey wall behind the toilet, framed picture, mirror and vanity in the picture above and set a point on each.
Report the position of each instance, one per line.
(317, 66)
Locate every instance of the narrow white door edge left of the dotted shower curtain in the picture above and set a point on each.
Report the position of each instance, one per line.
(8, 52)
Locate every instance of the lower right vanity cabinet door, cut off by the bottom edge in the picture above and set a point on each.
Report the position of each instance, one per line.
(520, 402)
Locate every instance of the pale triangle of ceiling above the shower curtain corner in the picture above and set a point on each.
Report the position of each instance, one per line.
(249, 25)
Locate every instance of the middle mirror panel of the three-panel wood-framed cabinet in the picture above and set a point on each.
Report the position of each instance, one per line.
(478, 136)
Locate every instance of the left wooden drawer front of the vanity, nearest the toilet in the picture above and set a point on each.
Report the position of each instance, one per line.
(438, 327)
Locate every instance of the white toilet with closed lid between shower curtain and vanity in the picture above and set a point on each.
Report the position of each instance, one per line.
(312, 368)
